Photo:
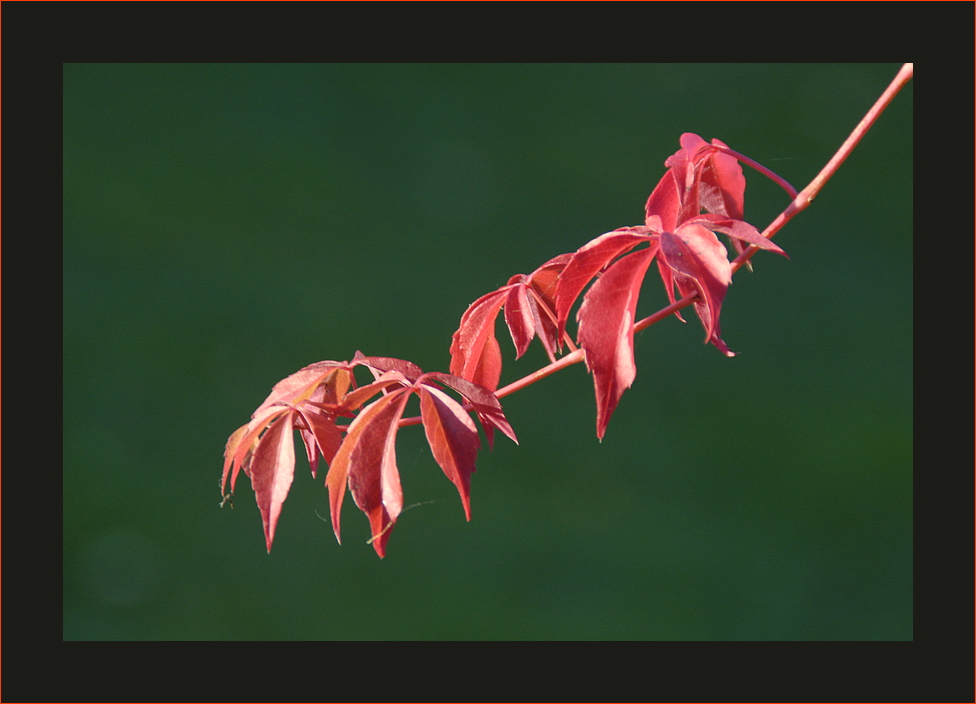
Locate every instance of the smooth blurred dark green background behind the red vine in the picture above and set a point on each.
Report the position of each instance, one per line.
(225, 225)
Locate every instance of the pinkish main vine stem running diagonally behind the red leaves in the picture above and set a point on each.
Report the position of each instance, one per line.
(799, 204)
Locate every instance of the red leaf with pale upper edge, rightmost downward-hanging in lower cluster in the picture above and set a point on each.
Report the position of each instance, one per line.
(453, 439)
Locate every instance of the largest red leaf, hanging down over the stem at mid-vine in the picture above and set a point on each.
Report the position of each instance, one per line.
(606, 330)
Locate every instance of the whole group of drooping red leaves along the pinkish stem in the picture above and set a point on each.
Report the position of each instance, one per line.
(354, 427)
